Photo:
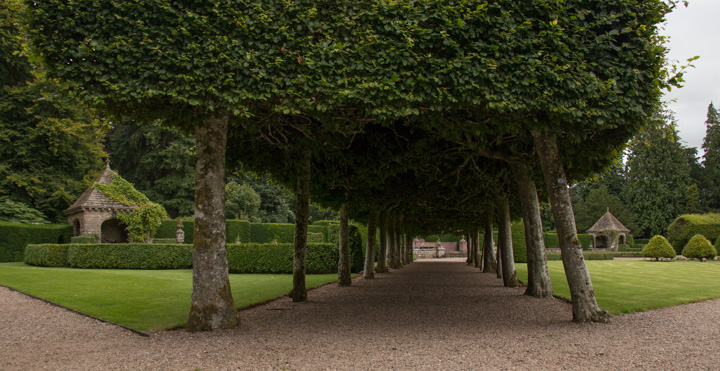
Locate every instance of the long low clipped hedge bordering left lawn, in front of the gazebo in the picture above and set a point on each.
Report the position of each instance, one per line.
(242, 258)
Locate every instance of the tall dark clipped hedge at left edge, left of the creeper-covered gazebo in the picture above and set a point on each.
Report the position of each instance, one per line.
(15, 236)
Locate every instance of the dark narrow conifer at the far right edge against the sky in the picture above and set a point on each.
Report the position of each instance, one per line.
(711, 159)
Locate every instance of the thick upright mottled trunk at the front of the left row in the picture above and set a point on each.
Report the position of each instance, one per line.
(212, 306)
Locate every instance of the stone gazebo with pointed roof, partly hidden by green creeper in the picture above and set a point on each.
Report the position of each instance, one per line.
(94, 213)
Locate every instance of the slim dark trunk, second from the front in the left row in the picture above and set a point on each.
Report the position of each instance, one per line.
(302, 213)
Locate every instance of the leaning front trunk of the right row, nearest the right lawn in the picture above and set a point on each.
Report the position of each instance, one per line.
(584, 305)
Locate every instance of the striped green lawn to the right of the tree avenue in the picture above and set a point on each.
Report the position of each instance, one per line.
(626, 286)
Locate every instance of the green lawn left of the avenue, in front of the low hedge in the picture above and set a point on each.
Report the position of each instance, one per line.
(145, 300)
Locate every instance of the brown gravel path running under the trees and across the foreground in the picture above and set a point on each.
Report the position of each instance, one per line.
(432, 314)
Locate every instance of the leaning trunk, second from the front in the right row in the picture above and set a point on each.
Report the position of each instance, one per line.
(538, 284)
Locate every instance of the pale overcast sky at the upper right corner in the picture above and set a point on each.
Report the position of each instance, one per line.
(695, 30)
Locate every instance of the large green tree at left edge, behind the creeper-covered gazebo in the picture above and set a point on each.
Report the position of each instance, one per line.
(50, 145)
